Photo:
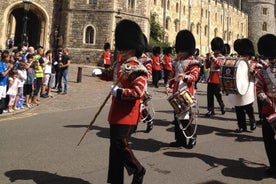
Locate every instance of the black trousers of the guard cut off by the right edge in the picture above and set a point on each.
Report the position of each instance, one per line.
(269, 142)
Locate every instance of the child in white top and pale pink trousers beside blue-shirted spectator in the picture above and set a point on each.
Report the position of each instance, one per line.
(13, 89)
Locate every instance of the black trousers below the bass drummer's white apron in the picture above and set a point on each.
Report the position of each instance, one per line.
(241, 116)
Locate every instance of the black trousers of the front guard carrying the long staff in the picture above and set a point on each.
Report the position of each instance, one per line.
(120, 154)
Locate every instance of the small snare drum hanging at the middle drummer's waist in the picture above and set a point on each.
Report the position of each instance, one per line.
(181, 101)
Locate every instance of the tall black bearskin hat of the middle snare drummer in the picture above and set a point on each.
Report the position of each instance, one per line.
(185, 42)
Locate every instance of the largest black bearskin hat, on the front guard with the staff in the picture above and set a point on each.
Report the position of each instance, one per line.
(128, 35)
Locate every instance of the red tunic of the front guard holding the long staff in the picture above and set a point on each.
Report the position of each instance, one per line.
(126, 111)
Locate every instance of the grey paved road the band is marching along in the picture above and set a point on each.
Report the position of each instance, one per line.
(39, 145)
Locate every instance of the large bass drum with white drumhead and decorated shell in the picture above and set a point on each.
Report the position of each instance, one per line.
(234, 76)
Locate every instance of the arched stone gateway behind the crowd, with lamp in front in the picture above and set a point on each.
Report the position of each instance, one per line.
(37, 21)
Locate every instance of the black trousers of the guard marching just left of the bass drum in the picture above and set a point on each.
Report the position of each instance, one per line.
(213, 90)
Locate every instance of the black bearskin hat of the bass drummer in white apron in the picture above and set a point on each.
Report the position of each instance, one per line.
(245, 47)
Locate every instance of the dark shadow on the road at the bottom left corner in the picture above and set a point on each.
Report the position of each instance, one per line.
(42, 177)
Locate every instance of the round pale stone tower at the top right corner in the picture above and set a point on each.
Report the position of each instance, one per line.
(261, 18)
